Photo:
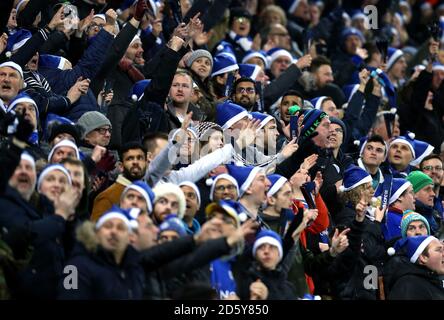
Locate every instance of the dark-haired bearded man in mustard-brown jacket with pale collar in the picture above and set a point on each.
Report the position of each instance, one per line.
(133, 167)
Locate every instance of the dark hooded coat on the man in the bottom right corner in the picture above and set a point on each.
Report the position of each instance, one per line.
(407, 281)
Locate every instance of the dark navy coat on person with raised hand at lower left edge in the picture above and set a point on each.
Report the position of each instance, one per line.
(39, 279)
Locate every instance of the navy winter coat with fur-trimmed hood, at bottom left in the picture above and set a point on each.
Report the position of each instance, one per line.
(99, 276)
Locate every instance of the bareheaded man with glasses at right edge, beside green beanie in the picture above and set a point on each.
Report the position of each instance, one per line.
(432, 166)
